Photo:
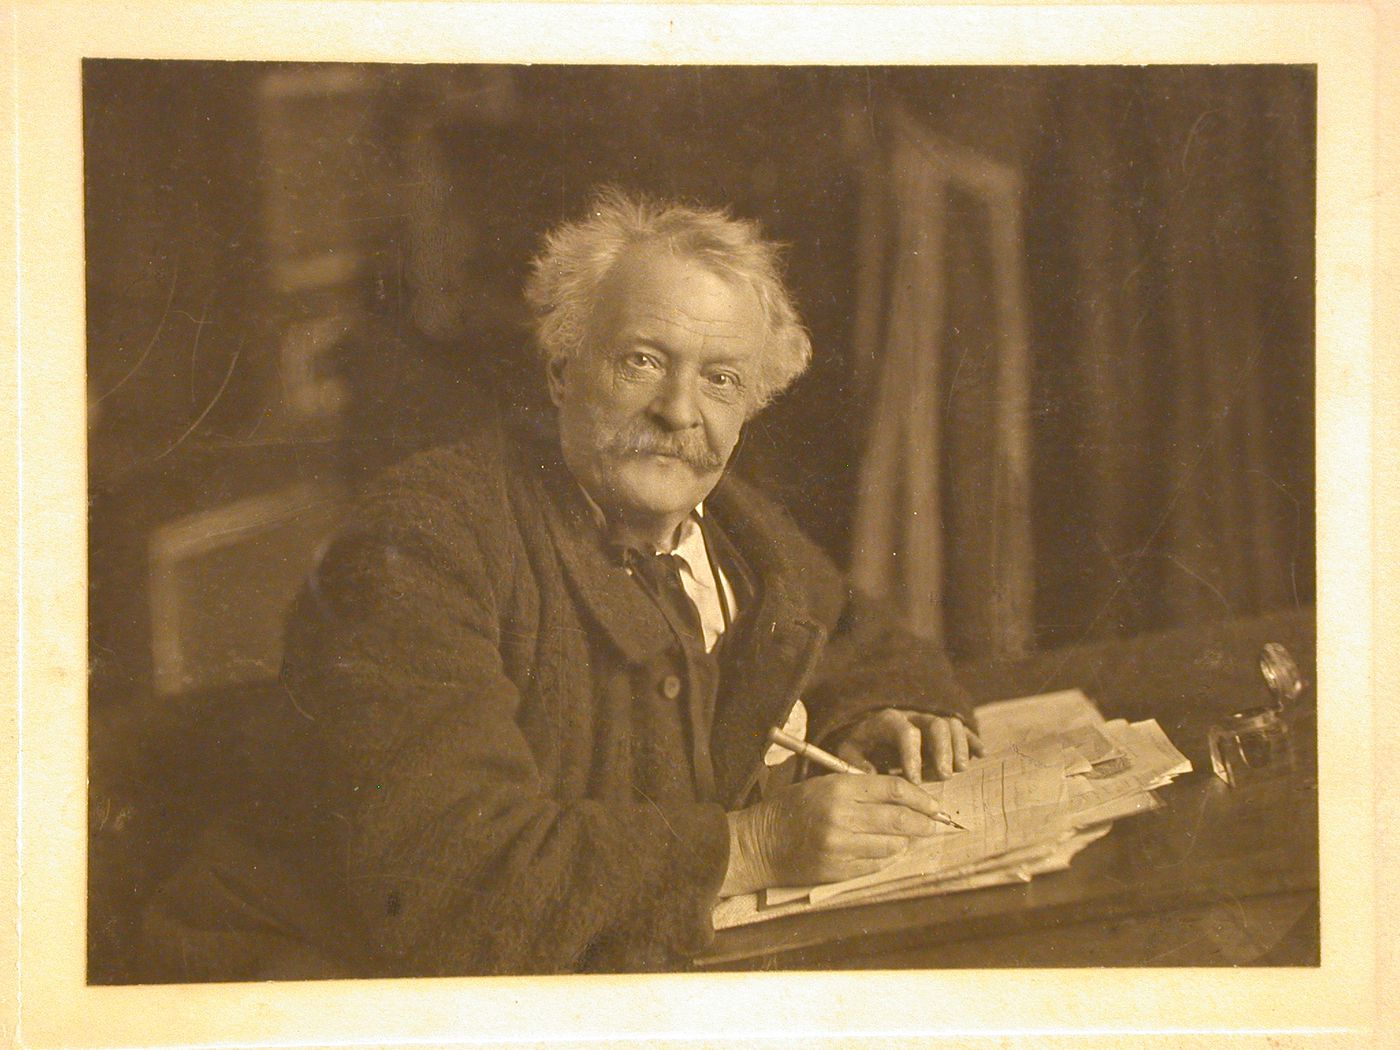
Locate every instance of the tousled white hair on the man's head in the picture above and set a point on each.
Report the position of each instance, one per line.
(566, 276)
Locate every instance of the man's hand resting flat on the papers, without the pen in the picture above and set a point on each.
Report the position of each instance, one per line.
(908, 738)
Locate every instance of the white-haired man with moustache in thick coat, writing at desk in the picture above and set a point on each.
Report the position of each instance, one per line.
(538, 671)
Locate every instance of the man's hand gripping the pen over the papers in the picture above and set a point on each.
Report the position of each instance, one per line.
(824, 831)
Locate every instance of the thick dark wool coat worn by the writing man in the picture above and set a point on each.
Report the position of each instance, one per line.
(488, 785)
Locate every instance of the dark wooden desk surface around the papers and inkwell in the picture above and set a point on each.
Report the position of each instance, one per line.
(1216, 877)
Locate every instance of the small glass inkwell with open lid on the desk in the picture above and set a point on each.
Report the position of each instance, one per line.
(1254, 744)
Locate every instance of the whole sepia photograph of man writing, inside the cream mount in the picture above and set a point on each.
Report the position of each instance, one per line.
(584, 519)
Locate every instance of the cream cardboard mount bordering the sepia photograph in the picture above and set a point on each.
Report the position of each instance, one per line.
(1335, 1004)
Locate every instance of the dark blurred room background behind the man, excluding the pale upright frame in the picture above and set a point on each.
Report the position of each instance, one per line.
(297, 274)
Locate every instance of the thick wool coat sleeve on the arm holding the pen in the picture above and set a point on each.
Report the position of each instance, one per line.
(460, 860)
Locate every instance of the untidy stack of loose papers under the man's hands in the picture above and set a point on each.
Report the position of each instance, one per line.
(1053, 778)
